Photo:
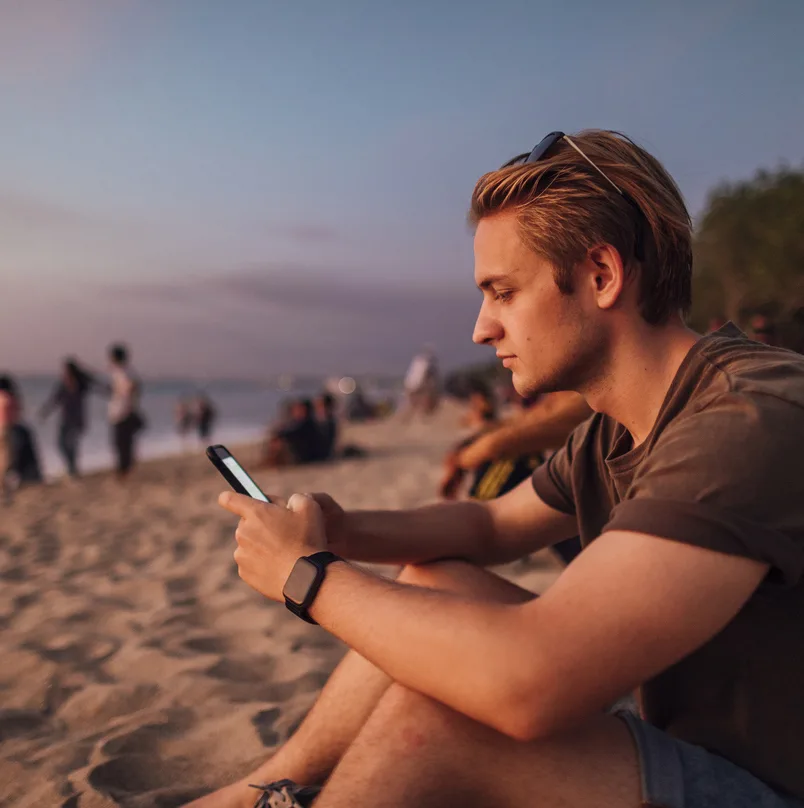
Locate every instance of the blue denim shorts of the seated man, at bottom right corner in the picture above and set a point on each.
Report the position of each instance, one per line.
(676, 774)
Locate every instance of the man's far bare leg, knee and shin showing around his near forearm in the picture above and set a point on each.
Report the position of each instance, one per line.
(352, 693)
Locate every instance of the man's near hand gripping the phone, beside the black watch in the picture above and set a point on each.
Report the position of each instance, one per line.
(270, 538)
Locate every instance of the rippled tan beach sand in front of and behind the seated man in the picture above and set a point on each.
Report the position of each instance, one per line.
(136, 668)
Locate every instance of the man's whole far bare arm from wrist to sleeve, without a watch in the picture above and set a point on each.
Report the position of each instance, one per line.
(480, 532)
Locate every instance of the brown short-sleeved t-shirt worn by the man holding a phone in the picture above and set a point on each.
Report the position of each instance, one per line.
(722, 468)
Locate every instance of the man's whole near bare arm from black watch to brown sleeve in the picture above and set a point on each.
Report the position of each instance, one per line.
(627, 608)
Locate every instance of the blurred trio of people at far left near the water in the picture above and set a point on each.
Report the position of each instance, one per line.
(19, 457)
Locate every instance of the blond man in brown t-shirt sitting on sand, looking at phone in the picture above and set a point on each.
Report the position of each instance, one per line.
(685, 487)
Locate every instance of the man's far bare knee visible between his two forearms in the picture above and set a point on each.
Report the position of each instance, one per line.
(465, 578)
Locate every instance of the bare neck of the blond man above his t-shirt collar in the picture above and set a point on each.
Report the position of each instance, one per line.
(642, 365)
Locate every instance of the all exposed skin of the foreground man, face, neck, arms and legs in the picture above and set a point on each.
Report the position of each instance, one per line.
(506, 690)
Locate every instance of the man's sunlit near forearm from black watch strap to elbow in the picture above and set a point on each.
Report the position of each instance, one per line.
(467, 654)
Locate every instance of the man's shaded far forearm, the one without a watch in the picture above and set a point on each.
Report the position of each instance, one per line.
(445, 530)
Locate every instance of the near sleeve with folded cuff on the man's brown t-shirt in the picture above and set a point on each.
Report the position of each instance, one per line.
(729, 477)
